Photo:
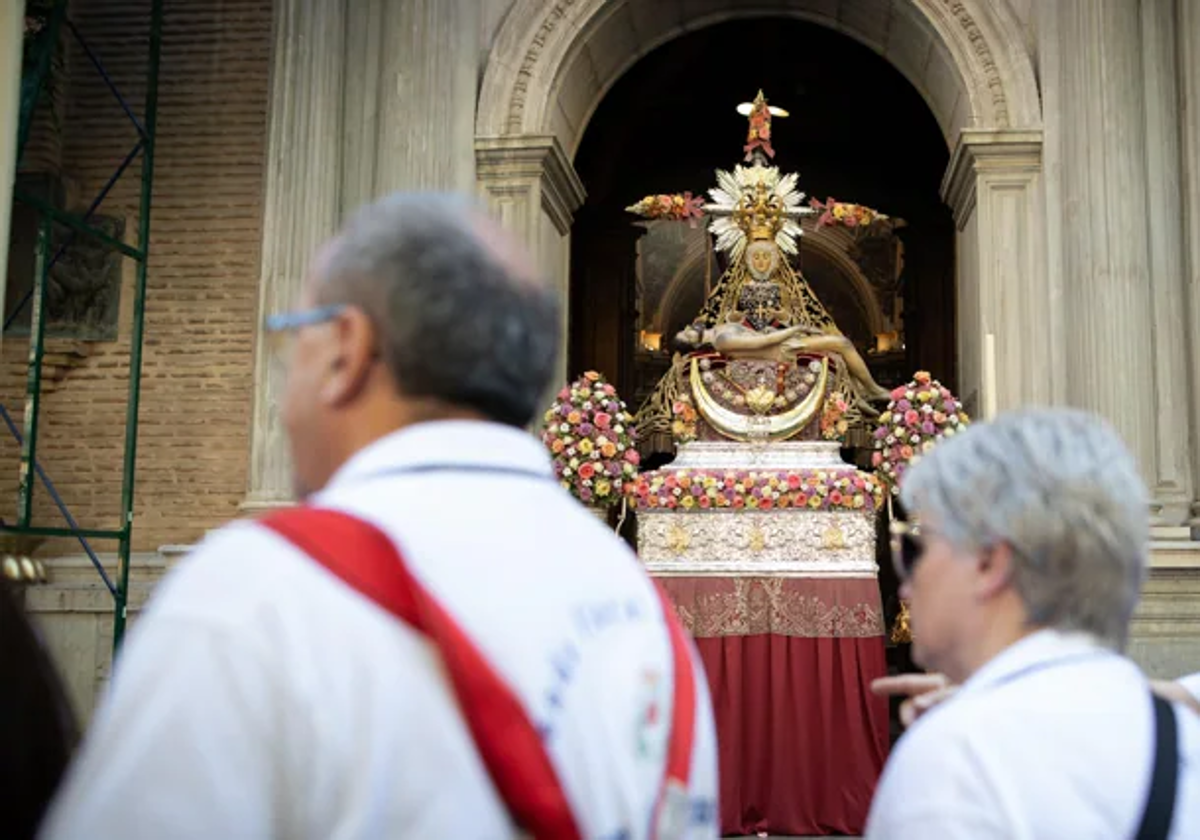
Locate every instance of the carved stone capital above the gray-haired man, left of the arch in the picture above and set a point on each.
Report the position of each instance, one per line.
(518, 163)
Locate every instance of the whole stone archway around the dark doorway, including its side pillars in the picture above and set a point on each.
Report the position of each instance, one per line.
(554, 61)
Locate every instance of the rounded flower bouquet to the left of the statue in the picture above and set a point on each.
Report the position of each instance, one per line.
(592, 441)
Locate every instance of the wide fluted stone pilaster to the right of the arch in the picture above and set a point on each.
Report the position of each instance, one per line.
(1096, 113)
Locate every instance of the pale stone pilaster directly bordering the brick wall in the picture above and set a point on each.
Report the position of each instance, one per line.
(302, 208)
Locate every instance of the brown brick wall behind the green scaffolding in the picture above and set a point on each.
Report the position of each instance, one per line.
(203, 283)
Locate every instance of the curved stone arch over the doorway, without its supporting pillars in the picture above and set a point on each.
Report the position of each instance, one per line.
(554, 61)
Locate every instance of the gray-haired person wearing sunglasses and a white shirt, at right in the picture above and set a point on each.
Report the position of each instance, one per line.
(1023, 560)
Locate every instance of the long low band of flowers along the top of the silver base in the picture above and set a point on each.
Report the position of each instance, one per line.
(758, 490)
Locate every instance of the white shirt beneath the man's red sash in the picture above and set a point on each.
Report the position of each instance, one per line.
(259, 697)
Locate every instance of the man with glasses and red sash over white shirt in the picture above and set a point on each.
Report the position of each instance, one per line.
(440, 643)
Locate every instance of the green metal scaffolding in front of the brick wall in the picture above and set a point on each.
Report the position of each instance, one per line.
(33, 92)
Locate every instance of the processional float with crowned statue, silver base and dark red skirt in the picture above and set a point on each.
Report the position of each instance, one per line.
(763, 536)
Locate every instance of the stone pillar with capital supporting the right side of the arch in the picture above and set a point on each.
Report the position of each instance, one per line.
(994, 185)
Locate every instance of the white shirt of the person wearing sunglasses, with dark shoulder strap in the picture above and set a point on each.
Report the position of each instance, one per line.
(1053, 739)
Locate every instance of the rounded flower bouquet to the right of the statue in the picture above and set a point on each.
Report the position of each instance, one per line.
(919, 416)
